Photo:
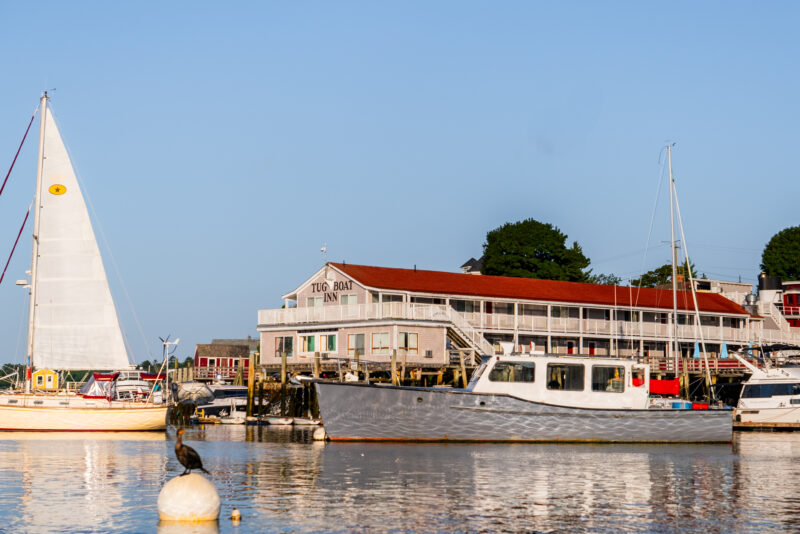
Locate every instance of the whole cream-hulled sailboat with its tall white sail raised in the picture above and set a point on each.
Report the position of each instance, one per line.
(72, 320)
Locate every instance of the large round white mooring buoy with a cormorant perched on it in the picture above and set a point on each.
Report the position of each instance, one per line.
(188, 498)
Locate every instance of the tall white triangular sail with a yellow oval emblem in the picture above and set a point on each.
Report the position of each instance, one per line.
(75, 324)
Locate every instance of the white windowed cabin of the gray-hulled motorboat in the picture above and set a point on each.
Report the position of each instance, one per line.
(574, 381)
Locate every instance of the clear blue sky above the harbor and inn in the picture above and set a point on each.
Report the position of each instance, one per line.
(222, 144)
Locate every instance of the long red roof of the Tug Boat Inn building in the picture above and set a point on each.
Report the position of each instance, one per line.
(505, 287)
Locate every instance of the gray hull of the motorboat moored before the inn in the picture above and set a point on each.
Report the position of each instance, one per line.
(363, 412)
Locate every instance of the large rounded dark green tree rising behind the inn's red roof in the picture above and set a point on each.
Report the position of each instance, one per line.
(531, 249)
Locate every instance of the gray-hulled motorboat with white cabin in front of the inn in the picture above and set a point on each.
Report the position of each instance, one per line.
(521, 398)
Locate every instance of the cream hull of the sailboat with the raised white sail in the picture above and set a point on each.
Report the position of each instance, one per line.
(78, 414)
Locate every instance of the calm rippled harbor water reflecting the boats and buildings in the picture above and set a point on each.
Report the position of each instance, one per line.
(281, 480)
